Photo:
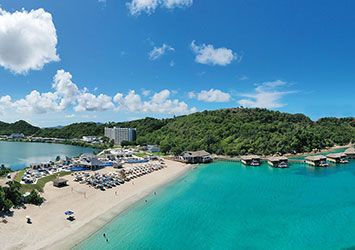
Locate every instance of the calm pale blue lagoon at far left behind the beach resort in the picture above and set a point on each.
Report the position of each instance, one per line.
(18, 155)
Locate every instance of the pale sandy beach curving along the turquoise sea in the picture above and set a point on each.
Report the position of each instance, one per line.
(92, 209)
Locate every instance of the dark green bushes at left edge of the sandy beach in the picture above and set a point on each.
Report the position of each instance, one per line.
(10, 196)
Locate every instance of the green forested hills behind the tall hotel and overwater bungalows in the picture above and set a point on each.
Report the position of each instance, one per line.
(229, 131)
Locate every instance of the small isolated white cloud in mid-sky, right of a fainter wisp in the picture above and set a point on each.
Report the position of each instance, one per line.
(207, 54)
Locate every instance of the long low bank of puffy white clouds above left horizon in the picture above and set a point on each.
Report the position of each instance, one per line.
(66, 96)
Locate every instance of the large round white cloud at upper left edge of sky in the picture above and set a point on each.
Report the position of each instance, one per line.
(28, 40)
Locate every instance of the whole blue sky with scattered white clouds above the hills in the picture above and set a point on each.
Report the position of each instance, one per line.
(117, 60)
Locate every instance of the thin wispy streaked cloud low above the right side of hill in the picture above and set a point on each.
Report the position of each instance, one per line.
(266, 96)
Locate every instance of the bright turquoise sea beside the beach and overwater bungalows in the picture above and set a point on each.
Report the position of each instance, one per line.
(228, 206)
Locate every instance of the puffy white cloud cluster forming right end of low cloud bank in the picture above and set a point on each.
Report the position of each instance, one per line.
(158, 103)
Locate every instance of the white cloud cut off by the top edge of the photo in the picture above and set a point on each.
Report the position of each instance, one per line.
(136, 7)
